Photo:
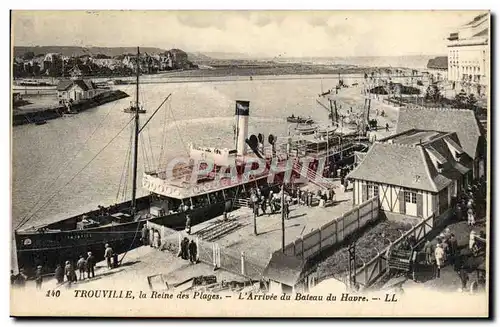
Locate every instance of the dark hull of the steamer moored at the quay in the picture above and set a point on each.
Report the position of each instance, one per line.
(51, 248)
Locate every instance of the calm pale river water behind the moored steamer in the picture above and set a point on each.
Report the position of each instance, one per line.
(46, 157)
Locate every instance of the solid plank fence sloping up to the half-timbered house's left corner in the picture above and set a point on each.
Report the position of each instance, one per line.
(335, 231)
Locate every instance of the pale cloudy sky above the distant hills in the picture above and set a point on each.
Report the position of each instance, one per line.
(255, 33)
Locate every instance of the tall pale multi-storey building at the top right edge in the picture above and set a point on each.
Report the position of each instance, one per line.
(469, 54)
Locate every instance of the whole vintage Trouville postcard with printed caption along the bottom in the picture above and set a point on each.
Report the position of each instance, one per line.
(250, 163)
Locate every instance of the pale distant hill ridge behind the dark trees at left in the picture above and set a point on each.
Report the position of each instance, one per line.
(108, 51)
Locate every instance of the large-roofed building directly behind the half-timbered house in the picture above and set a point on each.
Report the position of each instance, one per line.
(462, 121)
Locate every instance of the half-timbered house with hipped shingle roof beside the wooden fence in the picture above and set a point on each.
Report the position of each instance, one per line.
(415, 173)
